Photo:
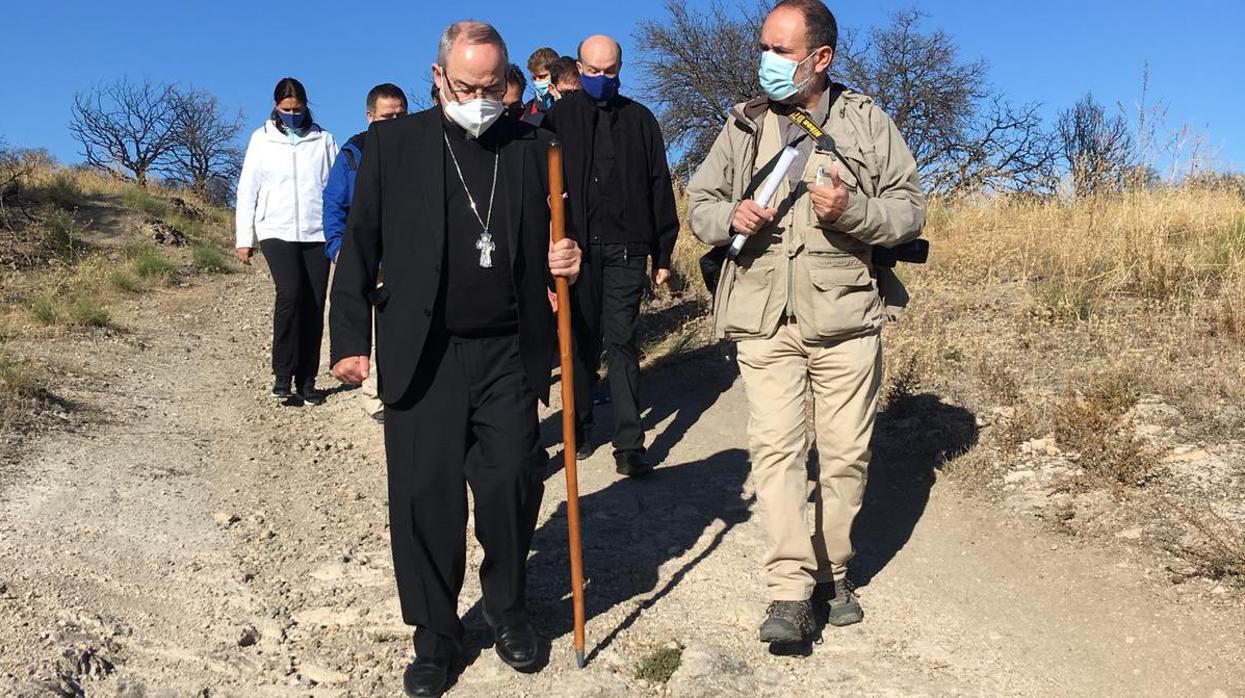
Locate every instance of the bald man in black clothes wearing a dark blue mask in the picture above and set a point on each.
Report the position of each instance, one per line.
(623, 215)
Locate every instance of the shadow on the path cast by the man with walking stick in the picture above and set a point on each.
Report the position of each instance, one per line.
(629, 531)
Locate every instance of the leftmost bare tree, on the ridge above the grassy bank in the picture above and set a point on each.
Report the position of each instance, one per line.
(125, 128)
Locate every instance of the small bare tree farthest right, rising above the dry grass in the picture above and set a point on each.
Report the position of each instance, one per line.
(1096, 147)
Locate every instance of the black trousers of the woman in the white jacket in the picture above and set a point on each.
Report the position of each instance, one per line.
(301, 273)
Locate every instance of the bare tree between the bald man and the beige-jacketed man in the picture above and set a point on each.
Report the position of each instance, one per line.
(695, 67)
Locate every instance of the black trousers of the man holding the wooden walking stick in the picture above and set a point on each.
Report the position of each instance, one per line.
(469, 420)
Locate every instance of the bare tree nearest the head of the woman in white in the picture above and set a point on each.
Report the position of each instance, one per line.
(205, 152)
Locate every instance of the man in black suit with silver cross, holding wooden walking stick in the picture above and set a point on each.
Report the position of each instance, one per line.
(454, 203)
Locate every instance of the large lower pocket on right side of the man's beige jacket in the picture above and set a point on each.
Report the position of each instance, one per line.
(839, 302)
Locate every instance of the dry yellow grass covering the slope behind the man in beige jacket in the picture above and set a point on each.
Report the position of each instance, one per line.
(1053, 319)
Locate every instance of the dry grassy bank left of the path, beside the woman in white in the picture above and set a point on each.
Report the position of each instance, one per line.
(72, 269)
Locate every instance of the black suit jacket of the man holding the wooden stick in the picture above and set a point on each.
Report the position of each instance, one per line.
(398, 220)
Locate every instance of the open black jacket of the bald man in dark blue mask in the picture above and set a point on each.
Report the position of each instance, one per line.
(648, 191)
